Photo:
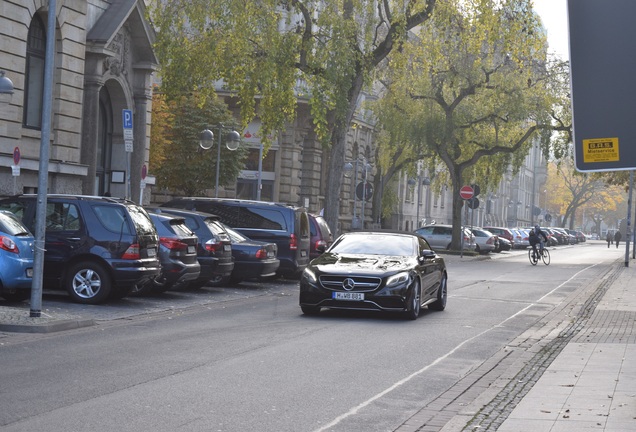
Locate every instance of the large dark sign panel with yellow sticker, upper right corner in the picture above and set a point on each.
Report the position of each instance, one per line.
(603, 67)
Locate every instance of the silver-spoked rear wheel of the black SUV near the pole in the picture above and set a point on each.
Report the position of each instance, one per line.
(88, 283)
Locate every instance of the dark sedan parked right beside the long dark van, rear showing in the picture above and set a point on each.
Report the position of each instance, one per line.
(253, 259)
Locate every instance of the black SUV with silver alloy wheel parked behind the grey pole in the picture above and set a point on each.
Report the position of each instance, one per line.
(96, 247)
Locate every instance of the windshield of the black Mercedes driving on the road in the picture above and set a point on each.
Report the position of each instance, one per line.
(374, 244)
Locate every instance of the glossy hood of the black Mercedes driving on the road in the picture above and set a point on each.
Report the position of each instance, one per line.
(331, 262)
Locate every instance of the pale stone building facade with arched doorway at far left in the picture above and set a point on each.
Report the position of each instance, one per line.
(103, 65)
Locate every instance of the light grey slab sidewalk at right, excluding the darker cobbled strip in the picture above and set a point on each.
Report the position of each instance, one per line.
(591, 385)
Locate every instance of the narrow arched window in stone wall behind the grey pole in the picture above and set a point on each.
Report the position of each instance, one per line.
(34, 74)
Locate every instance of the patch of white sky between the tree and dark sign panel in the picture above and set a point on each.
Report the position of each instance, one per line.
(554, 16)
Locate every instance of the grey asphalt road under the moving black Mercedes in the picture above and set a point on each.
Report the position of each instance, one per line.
(253, 362)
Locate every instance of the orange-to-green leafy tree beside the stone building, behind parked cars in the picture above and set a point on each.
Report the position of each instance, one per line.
(177, 160)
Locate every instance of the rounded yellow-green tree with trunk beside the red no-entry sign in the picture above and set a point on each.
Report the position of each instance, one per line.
(478, 89)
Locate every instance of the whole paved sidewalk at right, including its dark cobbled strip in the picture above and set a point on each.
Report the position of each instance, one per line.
(583, 378)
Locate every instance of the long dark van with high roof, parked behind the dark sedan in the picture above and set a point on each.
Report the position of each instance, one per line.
(285, 225)
